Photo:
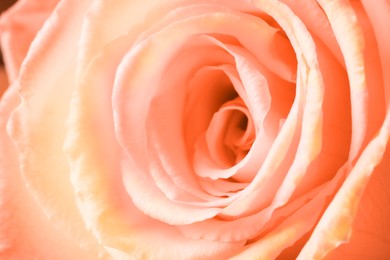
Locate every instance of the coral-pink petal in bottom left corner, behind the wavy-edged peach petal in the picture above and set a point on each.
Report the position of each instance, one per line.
(25, 232)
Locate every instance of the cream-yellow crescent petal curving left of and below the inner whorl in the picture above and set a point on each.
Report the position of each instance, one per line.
(116, 222)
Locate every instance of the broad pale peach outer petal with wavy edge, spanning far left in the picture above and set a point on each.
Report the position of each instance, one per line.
(37, 125)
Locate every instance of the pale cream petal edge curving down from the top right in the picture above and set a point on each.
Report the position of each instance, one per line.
(350, 38)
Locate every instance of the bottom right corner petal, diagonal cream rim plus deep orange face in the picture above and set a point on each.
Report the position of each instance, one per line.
(335, 226)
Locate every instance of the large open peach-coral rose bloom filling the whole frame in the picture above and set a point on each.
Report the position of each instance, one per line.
(318, 121)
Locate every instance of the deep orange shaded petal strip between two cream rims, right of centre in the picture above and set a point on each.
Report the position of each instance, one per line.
(336, 123)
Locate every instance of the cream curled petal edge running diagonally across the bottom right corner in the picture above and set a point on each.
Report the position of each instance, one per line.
(335, 226)
